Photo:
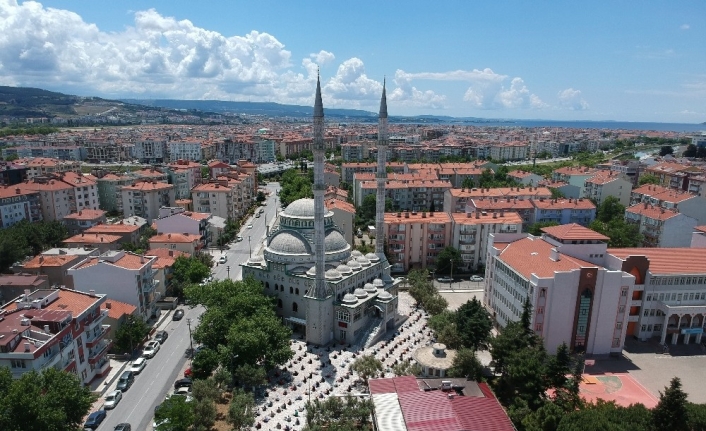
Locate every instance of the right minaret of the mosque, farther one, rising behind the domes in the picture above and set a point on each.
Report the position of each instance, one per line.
(381, 177)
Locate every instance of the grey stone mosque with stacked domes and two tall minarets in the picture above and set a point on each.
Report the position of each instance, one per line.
(323, 287)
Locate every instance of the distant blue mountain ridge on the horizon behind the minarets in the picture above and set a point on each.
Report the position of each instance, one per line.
(251, 108)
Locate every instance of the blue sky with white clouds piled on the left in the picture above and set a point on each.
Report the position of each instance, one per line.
(598, 60)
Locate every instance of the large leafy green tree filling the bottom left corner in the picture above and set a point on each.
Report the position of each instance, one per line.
(50, 400)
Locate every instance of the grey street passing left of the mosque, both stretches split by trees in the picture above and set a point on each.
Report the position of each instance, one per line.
(153, 384)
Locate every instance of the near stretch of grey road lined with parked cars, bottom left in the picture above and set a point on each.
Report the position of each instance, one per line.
(156, 379)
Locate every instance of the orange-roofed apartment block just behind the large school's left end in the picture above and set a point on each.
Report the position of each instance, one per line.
(471, 230)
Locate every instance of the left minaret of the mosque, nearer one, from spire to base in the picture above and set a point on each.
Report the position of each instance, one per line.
(319, 301)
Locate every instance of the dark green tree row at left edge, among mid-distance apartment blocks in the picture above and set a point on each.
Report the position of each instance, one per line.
(29, 239)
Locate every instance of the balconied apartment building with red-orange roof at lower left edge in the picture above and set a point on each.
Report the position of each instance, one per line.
(57, 328)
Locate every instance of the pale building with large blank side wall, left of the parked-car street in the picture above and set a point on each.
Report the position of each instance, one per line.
(120, 275)
